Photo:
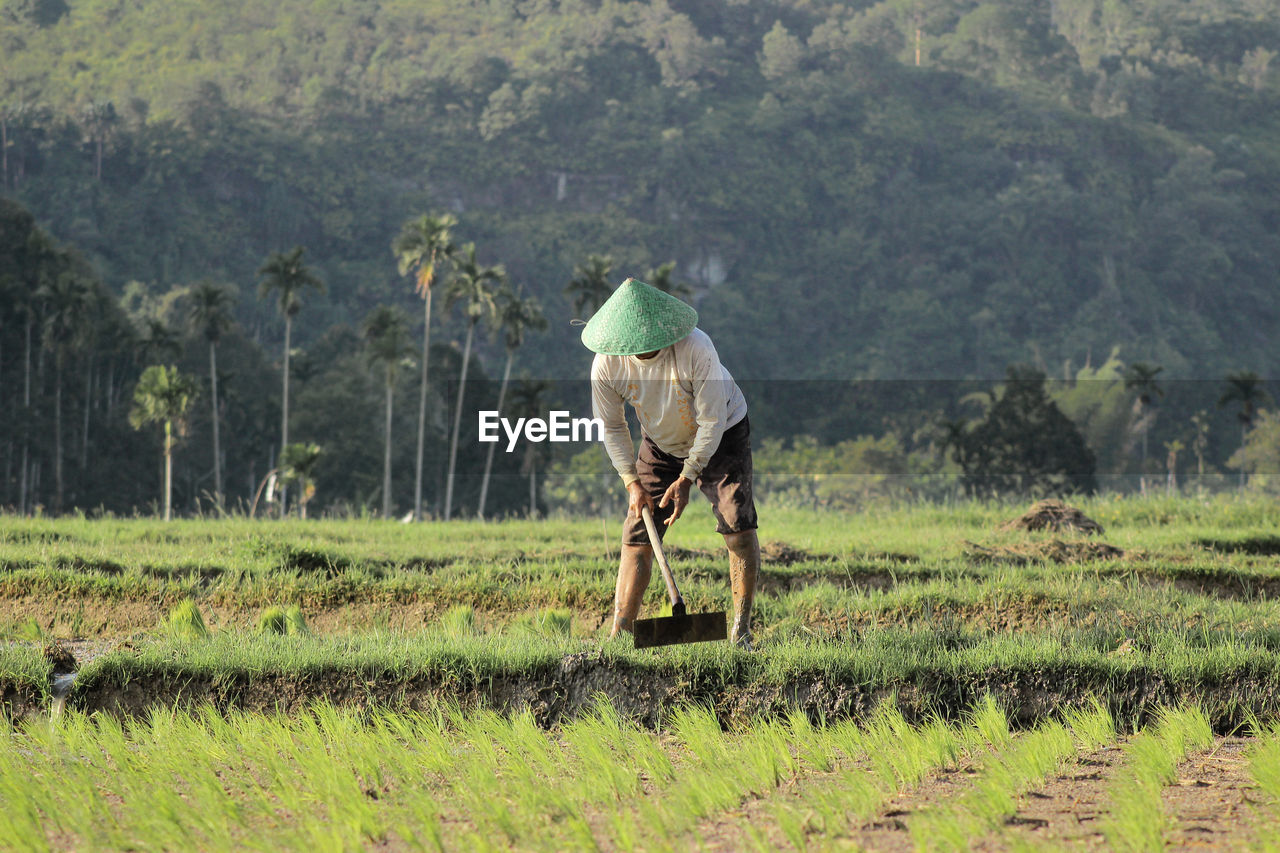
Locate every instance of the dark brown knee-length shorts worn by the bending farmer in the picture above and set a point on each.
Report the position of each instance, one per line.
(726, 482)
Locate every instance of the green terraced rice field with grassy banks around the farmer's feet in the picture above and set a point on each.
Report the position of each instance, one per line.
(924, 679)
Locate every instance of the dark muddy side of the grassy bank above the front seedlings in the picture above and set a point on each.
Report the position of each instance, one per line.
(650, 695)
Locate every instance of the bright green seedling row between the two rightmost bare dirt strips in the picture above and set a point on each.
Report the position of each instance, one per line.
(1137, 820)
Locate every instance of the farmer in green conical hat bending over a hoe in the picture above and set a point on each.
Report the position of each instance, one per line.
(693, 419)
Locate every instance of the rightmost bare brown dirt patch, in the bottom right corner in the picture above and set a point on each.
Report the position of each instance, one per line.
(1214, 800)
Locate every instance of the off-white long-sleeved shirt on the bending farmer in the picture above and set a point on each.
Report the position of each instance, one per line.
(684, 398)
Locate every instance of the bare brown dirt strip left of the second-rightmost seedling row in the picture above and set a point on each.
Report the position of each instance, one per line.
(1066, 810)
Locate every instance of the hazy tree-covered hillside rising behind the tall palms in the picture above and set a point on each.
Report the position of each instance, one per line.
(908, 189)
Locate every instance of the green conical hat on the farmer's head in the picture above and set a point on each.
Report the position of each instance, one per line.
(638, 318)
